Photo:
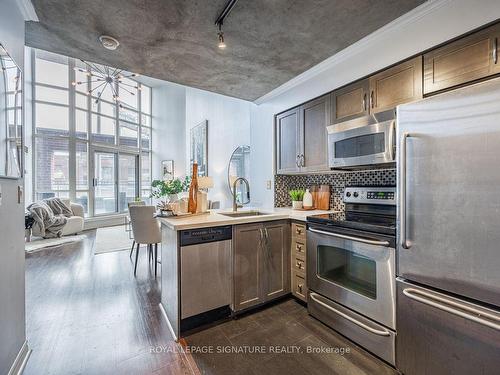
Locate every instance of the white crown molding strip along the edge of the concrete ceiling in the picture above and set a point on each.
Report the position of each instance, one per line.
(355, 48)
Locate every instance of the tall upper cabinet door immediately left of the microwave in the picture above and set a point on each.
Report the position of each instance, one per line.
(314, 137)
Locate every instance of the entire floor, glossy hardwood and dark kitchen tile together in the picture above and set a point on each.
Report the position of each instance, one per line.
(87, 314)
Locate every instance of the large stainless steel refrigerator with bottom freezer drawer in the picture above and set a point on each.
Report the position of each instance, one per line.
(448, 252)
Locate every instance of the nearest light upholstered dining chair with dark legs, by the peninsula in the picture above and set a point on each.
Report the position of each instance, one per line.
(146, 231)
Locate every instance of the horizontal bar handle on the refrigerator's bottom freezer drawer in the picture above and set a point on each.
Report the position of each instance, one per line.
(444, 304)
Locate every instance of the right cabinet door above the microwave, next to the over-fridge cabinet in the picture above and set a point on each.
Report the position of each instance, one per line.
(397, 85)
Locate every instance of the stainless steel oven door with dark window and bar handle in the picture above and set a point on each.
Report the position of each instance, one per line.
(355, 271)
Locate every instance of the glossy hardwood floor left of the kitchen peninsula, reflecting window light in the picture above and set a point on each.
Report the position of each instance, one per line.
(87, 314)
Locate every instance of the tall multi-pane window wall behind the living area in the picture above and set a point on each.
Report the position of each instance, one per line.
(97, 153)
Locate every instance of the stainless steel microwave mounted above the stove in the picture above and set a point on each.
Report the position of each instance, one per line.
(361, 142)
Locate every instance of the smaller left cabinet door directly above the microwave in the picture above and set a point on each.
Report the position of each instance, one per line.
(349, 102)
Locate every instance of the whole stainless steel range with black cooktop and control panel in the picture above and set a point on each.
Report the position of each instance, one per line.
(351, 268)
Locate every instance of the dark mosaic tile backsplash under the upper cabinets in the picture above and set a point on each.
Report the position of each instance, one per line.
(337, 181)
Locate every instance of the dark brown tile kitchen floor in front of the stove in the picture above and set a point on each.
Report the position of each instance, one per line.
(285, 325)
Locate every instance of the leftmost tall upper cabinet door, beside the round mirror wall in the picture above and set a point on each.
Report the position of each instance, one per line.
(287, 133)
